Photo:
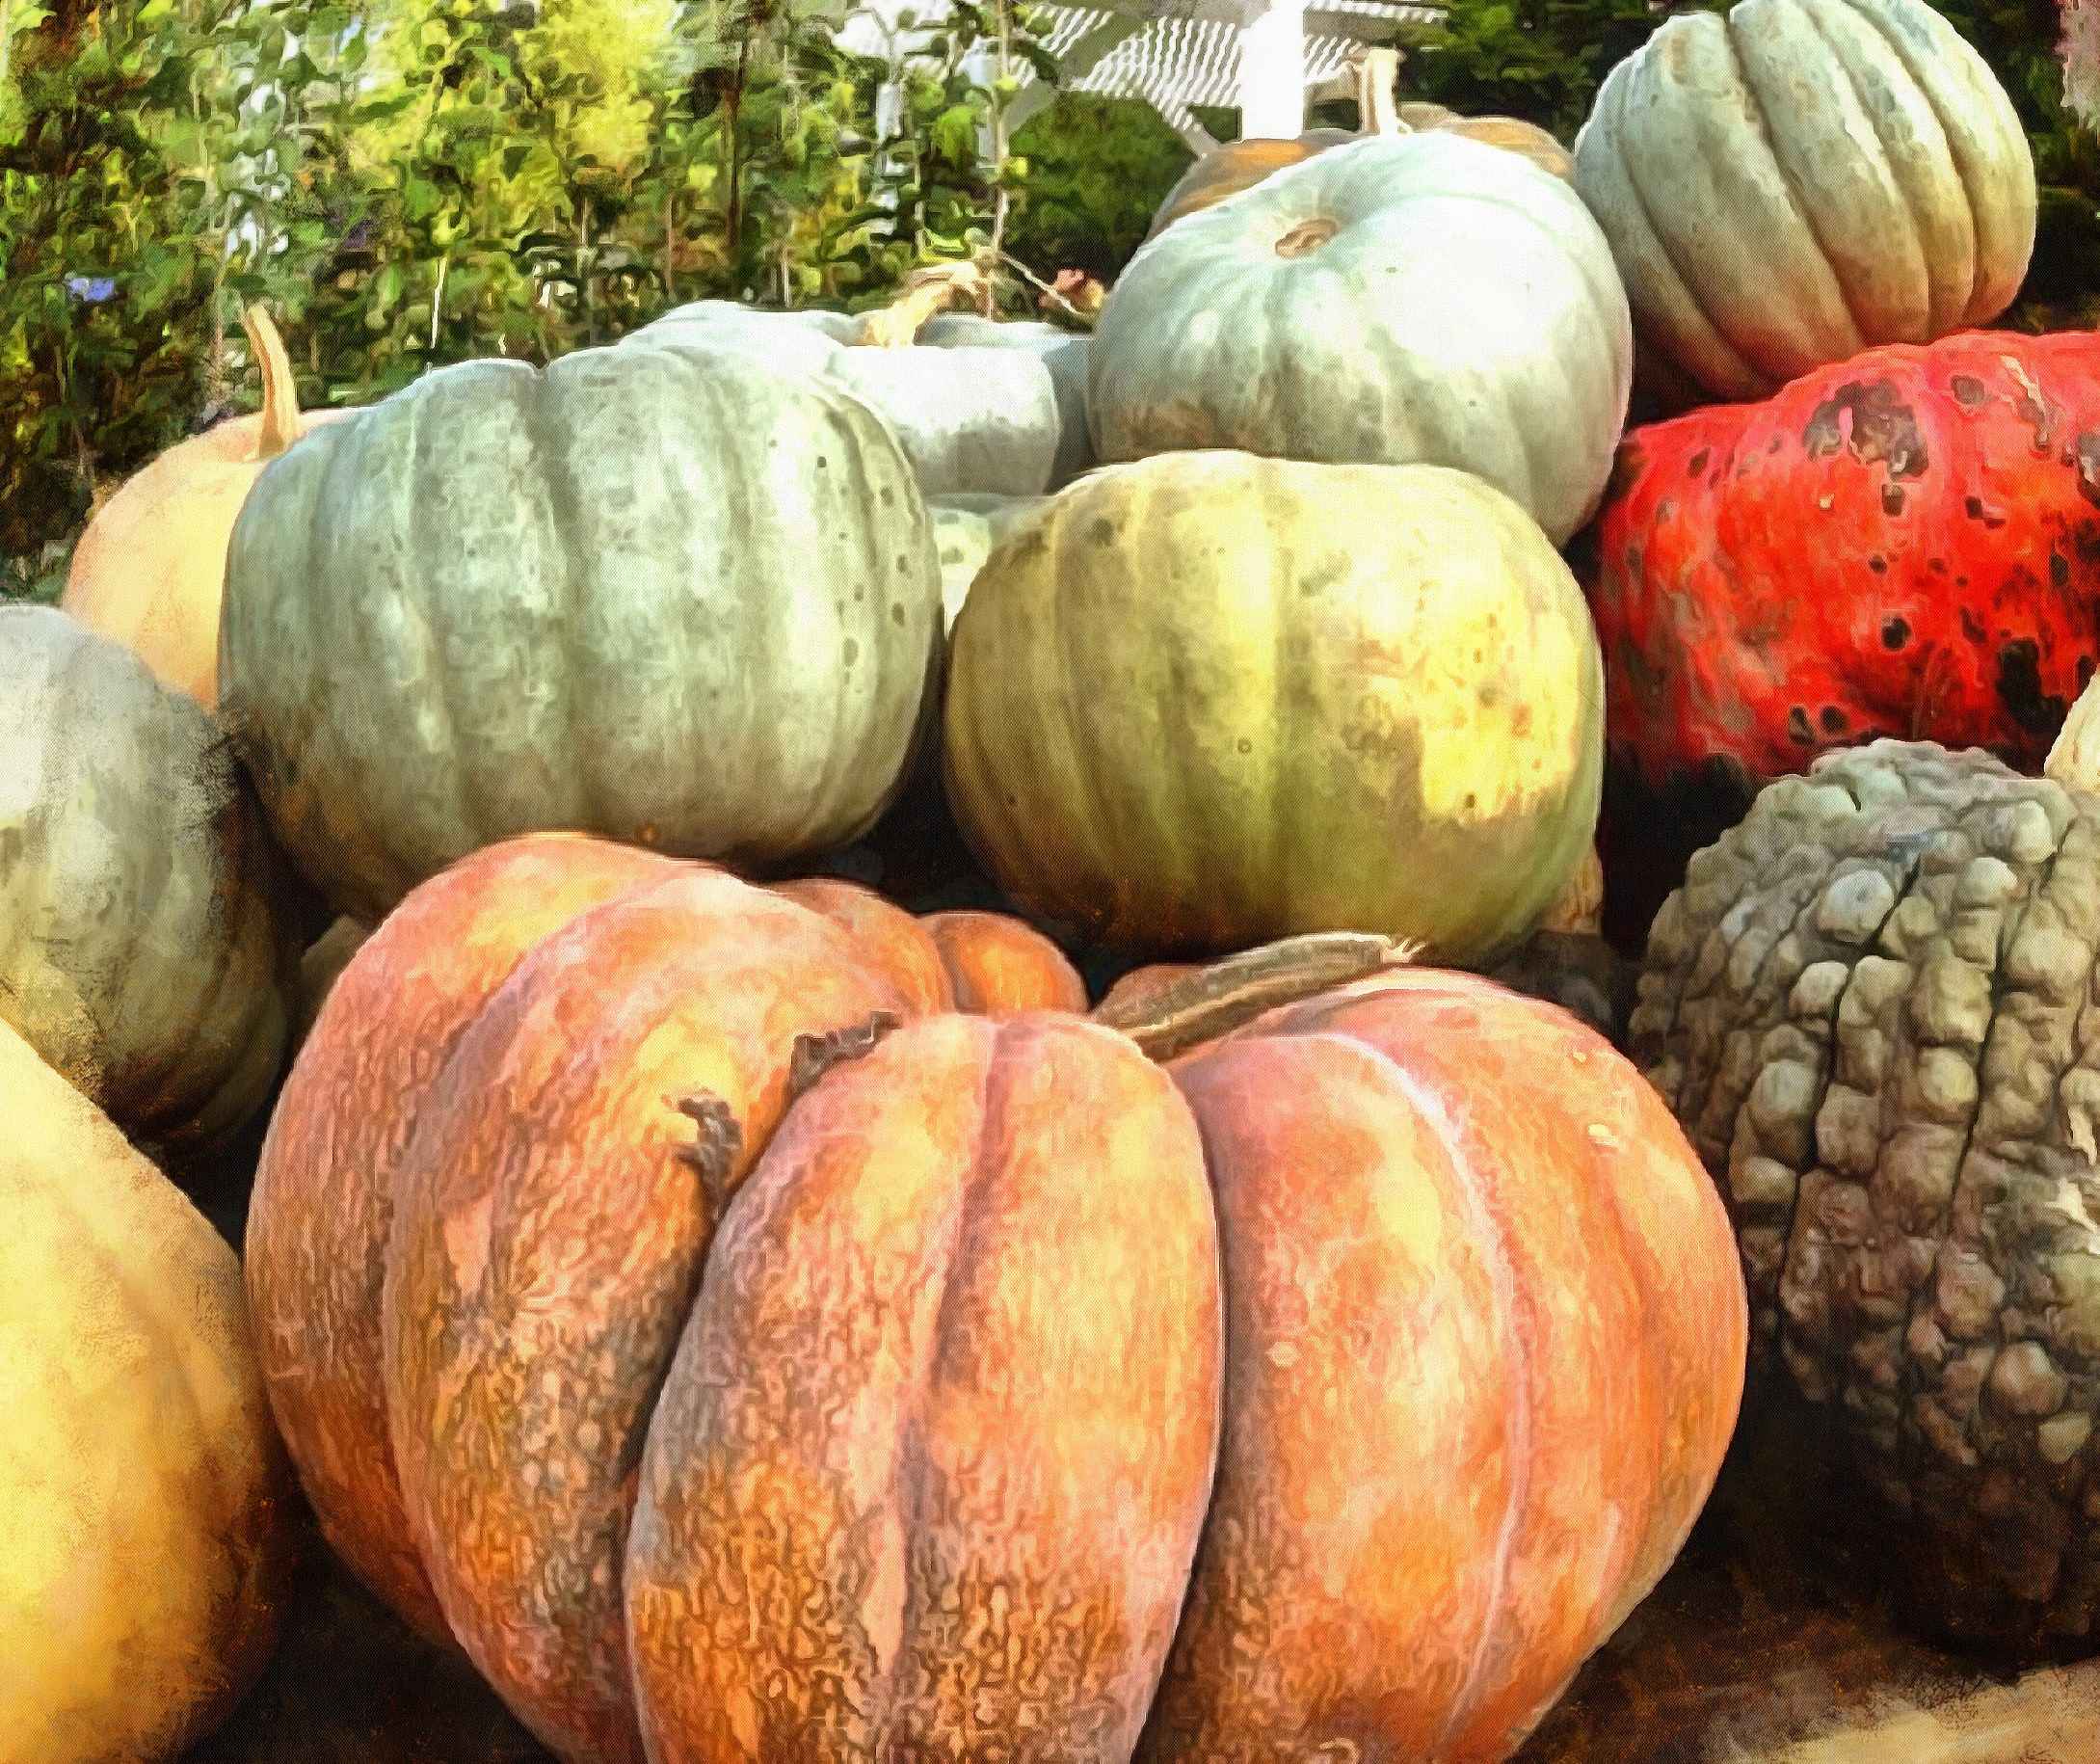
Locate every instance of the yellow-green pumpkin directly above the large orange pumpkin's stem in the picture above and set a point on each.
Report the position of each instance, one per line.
(1206, 700)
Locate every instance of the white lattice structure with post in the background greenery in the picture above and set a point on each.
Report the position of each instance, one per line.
(1263, 58)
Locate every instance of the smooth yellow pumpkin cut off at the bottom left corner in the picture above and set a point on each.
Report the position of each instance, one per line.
(146, 1513)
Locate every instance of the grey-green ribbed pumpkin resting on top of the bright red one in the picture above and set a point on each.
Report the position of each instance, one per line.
(1788, 186)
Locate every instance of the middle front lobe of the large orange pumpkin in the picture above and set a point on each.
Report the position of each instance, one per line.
(950, 1255)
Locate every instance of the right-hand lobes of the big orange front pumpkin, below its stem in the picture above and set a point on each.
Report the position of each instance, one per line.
(1486, 1353)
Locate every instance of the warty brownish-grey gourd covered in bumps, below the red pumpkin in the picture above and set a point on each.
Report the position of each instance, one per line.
(1874, 1009)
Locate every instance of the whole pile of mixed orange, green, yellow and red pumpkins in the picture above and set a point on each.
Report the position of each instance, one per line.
(755, 1318)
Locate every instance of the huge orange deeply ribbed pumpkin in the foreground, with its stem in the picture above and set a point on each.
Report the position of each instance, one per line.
(1335, 1387)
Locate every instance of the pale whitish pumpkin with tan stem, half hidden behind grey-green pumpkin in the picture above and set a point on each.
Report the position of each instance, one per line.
(980, 406)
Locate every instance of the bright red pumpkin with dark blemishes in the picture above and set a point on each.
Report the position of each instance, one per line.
(1902, 545)
